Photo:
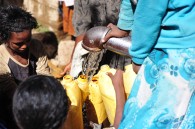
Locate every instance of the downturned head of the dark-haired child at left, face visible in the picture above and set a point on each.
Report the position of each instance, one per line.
(15, 24)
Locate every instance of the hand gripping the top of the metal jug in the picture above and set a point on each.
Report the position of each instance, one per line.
(114, 32)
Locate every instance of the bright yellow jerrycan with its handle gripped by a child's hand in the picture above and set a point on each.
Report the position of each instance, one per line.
(107, 91)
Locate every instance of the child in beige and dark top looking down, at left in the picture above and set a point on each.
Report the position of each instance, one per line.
(18, 55)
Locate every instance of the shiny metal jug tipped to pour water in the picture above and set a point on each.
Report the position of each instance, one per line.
(93, 36)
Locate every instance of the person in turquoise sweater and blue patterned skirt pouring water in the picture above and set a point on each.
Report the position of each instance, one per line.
(163, 43)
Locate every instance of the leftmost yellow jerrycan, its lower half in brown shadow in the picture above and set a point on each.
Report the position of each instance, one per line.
(75, 109)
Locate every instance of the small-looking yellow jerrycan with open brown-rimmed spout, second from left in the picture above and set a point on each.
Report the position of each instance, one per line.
(82, 83)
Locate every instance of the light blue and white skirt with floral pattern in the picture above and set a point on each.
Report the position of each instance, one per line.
(163, 94)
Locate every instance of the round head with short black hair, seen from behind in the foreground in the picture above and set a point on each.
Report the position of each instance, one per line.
(40, 102)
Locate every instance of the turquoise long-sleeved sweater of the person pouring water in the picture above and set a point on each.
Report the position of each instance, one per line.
(161, 24)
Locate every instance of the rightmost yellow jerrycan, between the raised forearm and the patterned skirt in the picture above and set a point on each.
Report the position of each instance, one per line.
(128, 79)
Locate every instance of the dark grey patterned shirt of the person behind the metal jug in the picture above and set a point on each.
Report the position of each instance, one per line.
(90, 13)
